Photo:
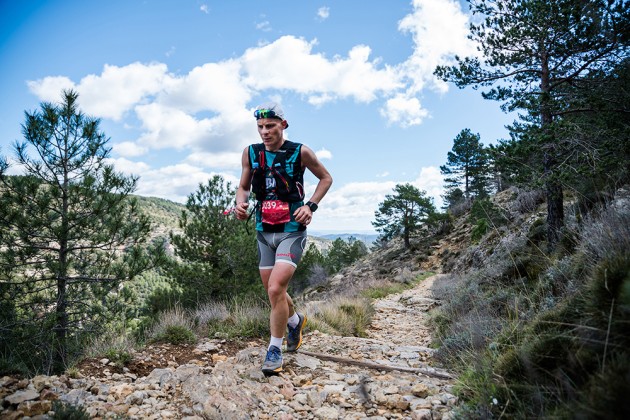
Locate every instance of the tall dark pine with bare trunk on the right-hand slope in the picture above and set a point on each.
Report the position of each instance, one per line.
(531, 51)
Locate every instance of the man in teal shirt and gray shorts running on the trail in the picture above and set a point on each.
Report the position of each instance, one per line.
(274, 171)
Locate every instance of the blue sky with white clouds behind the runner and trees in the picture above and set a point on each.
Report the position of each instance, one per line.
(175, 83)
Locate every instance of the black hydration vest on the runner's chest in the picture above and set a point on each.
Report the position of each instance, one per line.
(286, 169)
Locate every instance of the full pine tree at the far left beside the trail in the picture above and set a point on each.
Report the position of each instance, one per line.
(70, 235)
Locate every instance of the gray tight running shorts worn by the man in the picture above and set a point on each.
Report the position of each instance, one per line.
(285, 247)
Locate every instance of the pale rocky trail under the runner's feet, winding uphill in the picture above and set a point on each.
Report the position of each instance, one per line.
(387, 375)
